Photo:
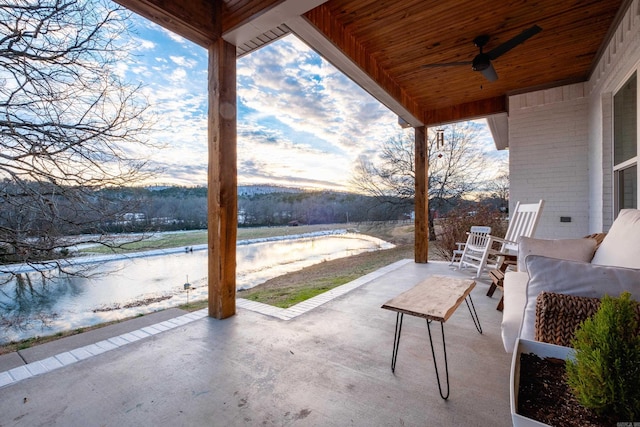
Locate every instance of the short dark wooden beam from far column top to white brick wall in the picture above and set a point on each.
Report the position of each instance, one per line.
(468, 111)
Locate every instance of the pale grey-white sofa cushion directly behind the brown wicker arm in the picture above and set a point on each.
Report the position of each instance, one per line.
(573, 278)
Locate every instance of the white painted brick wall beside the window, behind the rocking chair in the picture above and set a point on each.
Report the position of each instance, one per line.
(560, 141)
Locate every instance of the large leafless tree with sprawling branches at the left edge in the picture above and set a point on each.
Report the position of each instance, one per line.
(69, 125)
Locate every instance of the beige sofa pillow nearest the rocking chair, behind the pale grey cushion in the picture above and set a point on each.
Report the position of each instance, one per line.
(569, 249)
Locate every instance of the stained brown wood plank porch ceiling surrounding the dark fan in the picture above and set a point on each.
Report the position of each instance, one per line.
(390, 40)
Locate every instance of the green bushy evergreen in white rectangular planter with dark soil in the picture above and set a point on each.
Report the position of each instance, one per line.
(602, 381)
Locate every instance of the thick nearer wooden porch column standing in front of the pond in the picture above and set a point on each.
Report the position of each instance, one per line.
(222, 193)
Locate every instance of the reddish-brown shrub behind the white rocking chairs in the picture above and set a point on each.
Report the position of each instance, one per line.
(459, 221)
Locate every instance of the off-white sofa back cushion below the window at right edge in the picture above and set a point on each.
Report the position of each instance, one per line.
(621, 246)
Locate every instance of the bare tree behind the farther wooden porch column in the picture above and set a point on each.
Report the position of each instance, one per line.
(455, 167)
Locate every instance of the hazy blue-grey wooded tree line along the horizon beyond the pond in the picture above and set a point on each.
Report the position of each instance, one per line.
(105, 211)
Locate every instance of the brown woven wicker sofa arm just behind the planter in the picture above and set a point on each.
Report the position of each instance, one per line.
(558, 316)
